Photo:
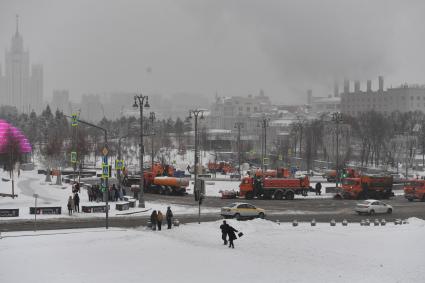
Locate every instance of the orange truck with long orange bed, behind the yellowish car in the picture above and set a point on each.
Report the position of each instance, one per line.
(276, 188)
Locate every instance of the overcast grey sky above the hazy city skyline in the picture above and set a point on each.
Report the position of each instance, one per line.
(229, 47)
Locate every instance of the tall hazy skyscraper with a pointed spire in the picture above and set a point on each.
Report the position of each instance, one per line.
(19, 87)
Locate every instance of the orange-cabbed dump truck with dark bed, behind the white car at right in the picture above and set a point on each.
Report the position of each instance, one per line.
(366, 186)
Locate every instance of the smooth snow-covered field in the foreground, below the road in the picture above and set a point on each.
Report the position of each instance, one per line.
(267, 252)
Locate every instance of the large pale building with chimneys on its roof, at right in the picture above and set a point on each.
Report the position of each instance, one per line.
(404, 99)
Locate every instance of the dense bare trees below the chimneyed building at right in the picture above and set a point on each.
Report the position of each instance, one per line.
(372, 139)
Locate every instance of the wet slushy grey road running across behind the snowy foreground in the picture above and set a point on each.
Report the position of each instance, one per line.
(303, 210)
